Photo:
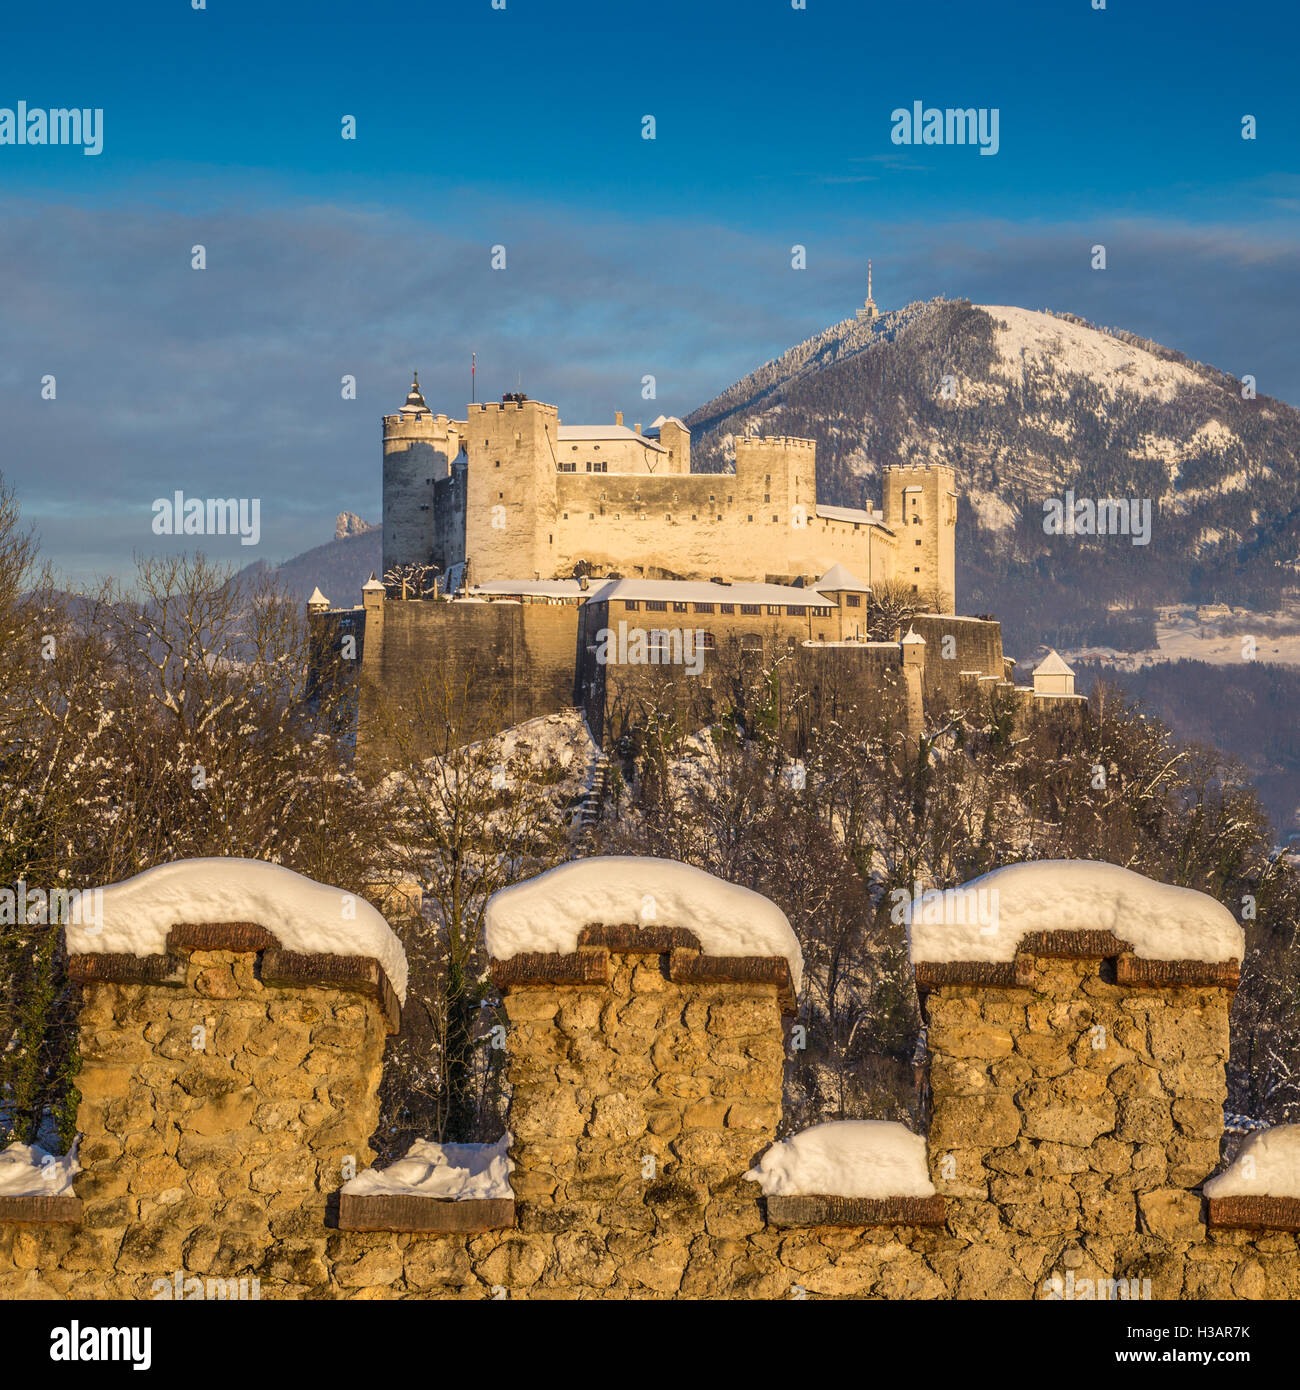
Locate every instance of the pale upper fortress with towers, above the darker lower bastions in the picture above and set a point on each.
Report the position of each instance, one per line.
(511, 493)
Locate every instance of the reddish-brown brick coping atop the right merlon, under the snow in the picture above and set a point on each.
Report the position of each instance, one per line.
(1078, 946)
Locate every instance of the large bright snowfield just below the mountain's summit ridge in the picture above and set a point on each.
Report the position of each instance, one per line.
(1042, 341)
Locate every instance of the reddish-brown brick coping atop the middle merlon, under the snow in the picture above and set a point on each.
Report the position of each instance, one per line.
(688, 963)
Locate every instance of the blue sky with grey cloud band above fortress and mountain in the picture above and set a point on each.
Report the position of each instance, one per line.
(625, 256)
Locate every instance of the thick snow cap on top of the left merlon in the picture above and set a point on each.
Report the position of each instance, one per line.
(301, 914)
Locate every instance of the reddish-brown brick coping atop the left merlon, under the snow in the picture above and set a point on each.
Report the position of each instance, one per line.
(280, 970)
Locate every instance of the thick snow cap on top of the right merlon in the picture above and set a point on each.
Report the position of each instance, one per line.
(988, 918)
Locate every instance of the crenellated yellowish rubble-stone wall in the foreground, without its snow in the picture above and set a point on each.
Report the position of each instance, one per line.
(230, 1088)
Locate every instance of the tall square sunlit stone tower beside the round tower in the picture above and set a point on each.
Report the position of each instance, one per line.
(512, 489)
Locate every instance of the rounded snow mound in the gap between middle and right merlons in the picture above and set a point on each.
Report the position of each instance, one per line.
(847, 1159)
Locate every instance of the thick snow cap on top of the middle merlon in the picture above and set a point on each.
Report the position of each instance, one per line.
(547, 914)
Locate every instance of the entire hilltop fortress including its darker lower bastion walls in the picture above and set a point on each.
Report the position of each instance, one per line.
(707, 576)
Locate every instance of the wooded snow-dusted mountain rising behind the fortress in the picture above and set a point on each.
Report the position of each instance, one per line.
(1027, 405)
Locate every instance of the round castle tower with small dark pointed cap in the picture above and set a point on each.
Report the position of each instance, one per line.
(419, 448)
